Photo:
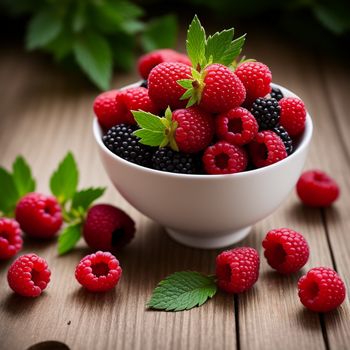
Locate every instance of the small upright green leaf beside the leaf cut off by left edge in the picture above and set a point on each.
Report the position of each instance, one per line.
(22, 177)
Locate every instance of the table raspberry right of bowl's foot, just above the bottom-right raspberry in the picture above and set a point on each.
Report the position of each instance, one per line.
(285, 250)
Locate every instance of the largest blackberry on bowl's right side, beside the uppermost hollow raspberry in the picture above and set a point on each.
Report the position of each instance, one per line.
(266, 112)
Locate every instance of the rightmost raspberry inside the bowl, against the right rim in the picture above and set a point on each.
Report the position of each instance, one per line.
(293, 115)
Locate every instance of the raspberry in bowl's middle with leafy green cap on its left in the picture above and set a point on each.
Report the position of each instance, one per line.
(195, 129)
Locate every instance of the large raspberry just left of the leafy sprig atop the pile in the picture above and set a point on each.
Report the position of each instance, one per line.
(163, 88)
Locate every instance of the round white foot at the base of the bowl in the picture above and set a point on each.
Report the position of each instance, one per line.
(210, 242)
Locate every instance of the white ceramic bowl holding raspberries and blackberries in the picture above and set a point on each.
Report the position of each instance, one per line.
(206, 211)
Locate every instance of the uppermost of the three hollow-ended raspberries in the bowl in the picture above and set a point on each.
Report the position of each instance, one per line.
(237, 126)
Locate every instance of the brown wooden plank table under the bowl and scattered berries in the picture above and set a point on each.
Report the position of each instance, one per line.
(45, 112)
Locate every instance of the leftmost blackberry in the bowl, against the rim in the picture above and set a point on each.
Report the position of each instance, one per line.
(120, 140)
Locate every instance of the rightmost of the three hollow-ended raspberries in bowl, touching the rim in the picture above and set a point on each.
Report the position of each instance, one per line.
(267, 148)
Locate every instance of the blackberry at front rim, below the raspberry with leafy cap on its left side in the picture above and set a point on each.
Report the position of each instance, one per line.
(165, 159)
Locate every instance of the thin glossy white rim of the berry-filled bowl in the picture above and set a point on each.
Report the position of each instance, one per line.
(303, 143)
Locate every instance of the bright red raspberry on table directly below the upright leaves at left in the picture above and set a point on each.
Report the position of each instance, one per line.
(39, 216)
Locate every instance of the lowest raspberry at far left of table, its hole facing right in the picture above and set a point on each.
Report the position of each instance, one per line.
(29, 275)
